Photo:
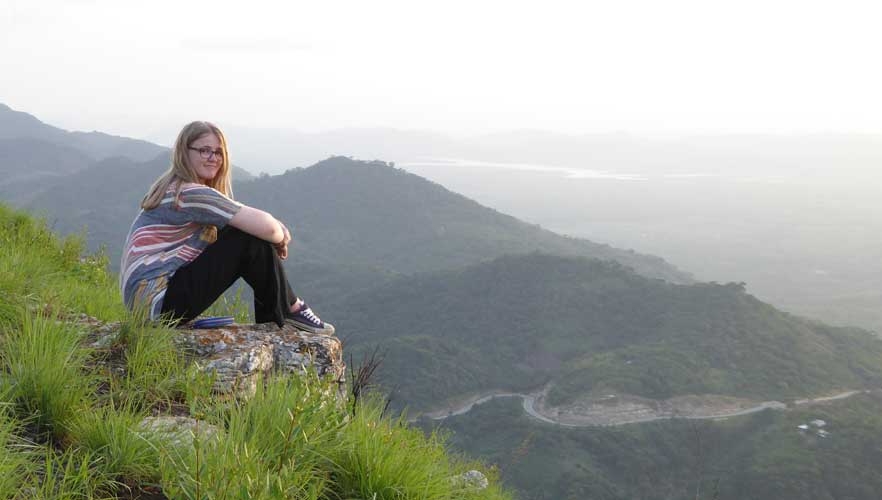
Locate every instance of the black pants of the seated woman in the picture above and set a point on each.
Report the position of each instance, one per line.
(235, 254)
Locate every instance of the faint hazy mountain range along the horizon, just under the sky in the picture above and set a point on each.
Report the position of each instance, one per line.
(809, 155)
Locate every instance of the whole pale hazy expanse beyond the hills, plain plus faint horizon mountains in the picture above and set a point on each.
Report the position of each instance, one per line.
(794, 216)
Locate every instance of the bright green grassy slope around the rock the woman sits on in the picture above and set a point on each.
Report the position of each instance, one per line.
(79, 421)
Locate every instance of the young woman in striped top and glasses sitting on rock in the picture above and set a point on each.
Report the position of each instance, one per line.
(191, 241)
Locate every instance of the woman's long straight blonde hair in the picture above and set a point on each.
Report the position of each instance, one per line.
(181, 170)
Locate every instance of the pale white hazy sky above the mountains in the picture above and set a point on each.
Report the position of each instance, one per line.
(456, 66)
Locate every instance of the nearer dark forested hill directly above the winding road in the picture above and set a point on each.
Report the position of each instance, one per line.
(594, 327)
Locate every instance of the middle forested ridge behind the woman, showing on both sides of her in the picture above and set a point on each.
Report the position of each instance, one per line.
(355, 223)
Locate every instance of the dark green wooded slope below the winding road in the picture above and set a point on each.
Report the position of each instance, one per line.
(758, 457)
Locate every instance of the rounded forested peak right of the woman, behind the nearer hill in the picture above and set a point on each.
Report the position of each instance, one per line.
(371, 214)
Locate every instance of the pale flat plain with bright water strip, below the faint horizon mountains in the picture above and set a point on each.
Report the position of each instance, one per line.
(804, 232)
